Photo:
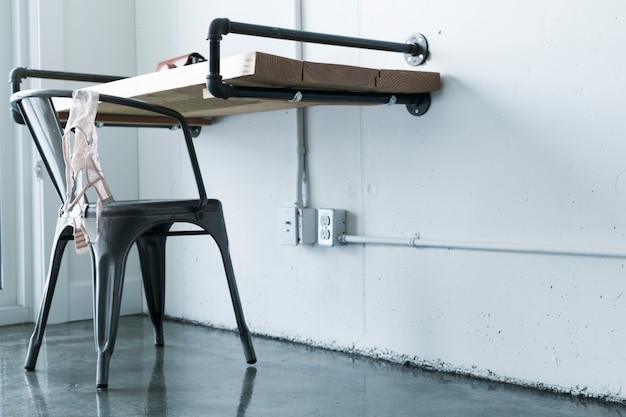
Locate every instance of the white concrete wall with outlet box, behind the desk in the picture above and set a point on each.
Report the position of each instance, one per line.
(523, 144)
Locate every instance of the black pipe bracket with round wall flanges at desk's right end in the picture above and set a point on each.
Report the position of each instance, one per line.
(417, 104)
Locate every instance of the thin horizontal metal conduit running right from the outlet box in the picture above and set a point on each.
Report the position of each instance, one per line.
(489, 246)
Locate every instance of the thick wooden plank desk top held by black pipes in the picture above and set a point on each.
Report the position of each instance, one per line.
(184, 89)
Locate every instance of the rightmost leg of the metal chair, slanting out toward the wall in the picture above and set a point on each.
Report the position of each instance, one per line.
(221, 239)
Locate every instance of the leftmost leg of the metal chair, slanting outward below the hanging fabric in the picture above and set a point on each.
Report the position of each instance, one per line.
(46, 301)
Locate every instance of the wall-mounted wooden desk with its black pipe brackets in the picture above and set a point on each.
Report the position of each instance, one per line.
(256, 81)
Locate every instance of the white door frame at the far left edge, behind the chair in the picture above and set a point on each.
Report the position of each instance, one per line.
(16, 176)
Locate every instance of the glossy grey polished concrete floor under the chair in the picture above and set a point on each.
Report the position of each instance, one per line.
(202, 372)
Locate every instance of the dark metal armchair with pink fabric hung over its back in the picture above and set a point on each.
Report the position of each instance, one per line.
(146, 223)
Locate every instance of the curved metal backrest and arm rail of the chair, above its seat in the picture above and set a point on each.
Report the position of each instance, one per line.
(38, 112)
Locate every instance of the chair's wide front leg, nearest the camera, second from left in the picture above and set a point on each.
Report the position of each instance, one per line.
(109, 269)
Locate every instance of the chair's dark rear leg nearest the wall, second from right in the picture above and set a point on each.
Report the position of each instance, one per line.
(152, 259)
